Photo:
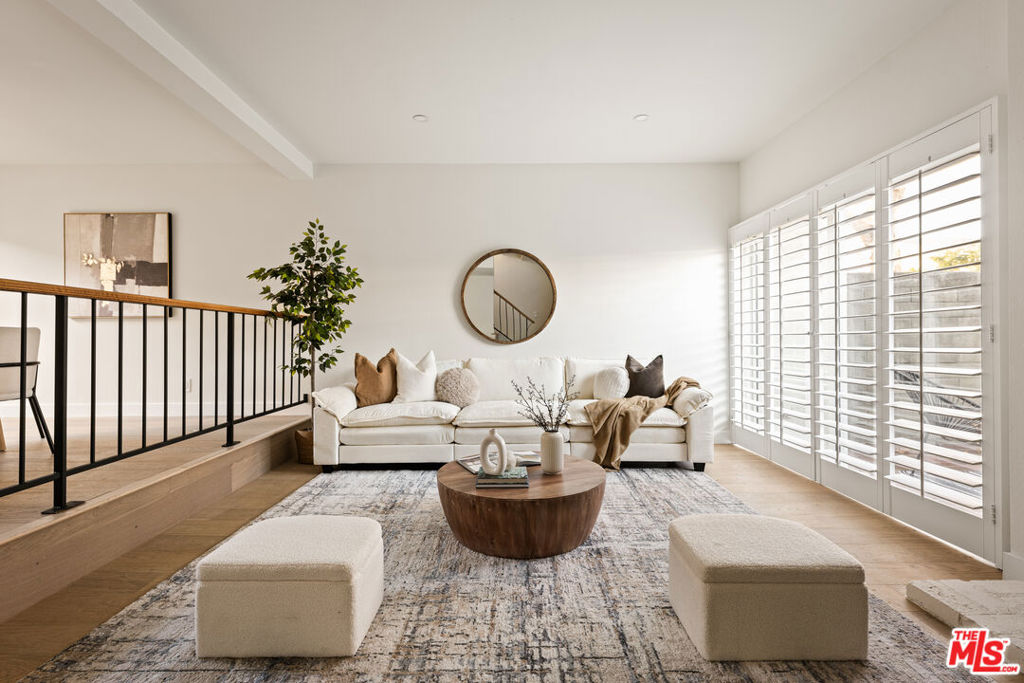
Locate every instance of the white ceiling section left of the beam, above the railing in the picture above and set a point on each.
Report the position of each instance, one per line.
(67, 99)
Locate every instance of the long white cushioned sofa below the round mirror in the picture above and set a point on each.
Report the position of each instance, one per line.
(437, 433)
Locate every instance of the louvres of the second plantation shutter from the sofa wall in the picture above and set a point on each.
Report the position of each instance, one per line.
(790, 327)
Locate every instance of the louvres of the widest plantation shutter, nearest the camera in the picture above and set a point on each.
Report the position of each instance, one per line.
(935, 330)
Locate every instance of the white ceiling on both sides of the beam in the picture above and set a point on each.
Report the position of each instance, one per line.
(525, 81)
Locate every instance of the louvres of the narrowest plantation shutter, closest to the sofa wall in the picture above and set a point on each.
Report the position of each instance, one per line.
(748, 330)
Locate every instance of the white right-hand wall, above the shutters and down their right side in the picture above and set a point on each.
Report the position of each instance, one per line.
(970, 55)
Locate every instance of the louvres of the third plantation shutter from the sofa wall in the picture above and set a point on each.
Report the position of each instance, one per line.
(847, 386)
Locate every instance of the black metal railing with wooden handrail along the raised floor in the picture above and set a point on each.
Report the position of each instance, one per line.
(276, 352)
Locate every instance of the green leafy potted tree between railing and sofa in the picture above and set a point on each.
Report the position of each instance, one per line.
(314, 289)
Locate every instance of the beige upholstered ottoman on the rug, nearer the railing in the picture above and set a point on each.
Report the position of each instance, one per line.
(291, 587)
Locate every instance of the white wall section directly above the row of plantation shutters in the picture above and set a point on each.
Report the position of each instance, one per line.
(954, 64)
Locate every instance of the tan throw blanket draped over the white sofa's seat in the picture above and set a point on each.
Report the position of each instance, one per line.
(615, 420)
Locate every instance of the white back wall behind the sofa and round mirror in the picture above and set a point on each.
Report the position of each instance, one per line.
(637, 252)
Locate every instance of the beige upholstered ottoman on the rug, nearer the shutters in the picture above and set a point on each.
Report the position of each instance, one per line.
(748, 587)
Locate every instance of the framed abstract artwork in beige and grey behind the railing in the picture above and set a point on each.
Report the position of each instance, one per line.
(130, 253)
